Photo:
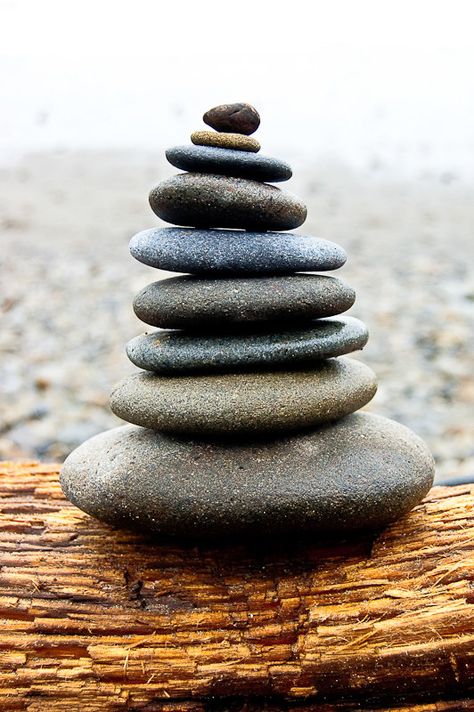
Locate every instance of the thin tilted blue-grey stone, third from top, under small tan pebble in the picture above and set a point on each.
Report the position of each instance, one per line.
(224, 161)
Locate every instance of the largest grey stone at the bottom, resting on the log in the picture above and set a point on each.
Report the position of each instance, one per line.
(362, 472)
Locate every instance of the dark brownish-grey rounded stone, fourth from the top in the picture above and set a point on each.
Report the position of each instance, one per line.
(207, 200)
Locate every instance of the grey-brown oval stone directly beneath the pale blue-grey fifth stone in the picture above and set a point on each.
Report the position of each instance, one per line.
(192, 302)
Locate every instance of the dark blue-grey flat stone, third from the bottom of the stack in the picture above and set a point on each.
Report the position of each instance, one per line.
(170, 352)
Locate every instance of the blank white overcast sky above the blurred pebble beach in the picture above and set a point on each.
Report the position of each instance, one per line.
(359, 81)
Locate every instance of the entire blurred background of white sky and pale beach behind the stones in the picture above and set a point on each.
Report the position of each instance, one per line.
(373, 105)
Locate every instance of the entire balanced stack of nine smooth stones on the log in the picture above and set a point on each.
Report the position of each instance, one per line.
(244, 416)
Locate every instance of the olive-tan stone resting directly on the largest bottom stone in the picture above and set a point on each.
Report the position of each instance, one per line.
(257, 402)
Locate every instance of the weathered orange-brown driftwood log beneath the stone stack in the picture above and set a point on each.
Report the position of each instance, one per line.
(98, 619)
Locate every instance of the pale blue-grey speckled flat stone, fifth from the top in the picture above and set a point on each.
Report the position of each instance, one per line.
(221, 252)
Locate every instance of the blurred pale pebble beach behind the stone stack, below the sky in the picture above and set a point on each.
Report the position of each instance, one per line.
(68, 283)
